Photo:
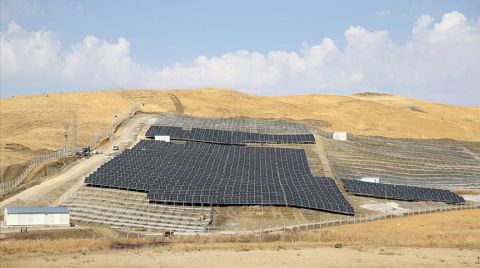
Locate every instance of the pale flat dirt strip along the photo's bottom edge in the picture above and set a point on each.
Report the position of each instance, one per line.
(314, 257)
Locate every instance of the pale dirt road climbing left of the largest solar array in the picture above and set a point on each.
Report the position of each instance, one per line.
(49, 192)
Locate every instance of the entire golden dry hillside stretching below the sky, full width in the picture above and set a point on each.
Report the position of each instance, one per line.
(32, 125)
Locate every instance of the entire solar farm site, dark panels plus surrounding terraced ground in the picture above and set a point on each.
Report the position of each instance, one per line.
(215, 173)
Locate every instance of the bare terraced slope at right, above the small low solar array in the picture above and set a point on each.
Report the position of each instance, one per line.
(445, 164)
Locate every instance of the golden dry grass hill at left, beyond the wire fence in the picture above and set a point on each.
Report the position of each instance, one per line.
(35, 123)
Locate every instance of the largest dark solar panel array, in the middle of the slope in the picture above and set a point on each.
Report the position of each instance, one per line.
(204, 173)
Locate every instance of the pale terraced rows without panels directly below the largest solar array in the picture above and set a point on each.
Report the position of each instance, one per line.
(126, 209)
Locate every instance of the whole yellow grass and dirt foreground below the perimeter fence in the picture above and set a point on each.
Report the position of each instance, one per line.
(417, 241)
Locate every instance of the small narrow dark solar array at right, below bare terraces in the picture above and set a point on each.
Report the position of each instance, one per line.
(400, 192)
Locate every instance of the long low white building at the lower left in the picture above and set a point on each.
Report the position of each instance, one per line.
(39, 216)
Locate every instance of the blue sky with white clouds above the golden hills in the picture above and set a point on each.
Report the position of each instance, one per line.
(427, 49)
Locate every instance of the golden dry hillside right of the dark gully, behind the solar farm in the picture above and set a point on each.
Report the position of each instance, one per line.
(383, 115)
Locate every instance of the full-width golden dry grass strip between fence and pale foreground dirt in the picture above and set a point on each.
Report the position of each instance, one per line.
(433, 230)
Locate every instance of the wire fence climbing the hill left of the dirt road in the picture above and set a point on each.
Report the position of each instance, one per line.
(9, 185)
